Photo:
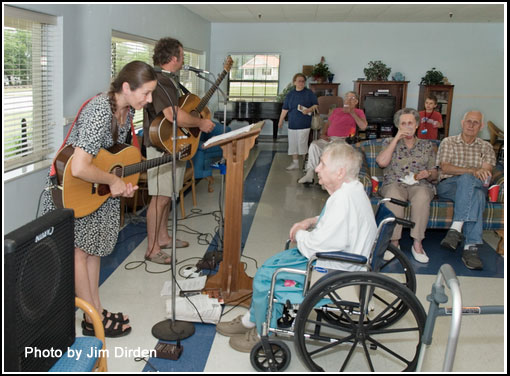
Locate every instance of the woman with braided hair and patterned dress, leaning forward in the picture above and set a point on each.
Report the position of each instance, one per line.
(104, 121)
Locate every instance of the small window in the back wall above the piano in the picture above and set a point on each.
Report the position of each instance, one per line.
(254, 77)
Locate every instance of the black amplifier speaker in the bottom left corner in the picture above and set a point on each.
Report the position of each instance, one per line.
(39, 311)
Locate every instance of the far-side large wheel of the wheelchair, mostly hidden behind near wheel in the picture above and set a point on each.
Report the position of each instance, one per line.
(400, 269)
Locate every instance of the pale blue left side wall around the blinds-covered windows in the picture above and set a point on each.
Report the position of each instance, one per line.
(86, 61)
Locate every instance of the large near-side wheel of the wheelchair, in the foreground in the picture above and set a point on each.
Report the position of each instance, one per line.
(358, 340)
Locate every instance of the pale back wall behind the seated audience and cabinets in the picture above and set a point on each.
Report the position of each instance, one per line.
(470, 55)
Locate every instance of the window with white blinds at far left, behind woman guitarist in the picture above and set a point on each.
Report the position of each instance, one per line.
(28, 110)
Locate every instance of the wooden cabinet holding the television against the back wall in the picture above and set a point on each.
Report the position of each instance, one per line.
(398, 89)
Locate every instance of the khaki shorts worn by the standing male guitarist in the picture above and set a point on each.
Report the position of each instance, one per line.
(160, 178)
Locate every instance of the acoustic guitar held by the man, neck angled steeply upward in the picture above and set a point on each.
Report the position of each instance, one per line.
(161, 132)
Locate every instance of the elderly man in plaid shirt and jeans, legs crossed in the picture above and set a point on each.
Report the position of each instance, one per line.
(466, 163)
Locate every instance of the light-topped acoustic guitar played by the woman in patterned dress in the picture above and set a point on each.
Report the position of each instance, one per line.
(84, 197)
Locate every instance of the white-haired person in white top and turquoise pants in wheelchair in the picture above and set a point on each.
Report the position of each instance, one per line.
(346, 224)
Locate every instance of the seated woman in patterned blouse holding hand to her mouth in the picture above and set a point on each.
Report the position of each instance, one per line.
(409, 167)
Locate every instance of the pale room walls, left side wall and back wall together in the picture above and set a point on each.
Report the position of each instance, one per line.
(470, 55)
